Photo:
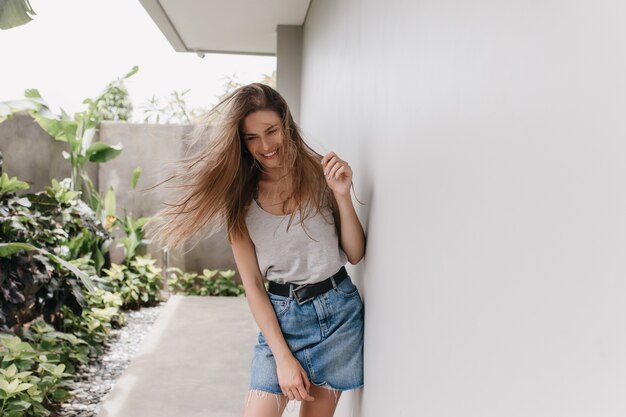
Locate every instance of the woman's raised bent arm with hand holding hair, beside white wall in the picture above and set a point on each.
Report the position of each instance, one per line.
(339, 178)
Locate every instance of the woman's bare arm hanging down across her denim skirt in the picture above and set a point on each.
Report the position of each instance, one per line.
(291, 376)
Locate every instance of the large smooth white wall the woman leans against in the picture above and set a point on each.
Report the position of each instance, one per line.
(488, 141)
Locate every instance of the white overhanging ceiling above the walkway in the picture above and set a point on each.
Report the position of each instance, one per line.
(234, 26)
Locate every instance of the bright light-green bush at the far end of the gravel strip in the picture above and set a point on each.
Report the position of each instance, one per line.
(137, 283)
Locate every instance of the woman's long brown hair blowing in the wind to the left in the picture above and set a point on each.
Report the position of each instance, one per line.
(218, 182)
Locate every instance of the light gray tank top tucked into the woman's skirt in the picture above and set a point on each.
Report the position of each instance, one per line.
(299, 256)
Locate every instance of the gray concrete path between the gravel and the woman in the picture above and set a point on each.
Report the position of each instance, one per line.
(194, 362)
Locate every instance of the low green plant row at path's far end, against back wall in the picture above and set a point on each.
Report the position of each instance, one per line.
(210, 282)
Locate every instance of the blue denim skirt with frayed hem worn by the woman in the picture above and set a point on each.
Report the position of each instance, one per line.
(324, 334)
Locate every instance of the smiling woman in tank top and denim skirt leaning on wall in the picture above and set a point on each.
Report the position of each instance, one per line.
(290, 220)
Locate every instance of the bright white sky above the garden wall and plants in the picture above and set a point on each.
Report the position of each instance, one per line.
(73, 48)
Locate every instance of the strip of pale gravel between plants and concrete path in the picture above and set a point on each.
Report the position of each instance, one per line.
(95, 379)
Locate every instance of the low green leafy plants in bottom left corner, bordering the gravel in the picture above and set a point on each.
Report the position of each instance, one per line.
(43, 360)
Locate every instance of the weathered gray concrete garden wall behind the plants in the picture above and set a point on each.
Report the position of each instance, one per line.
(148, 146)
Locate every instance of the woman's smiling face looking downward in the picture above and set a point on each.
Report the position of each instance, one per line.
(263, 137)
